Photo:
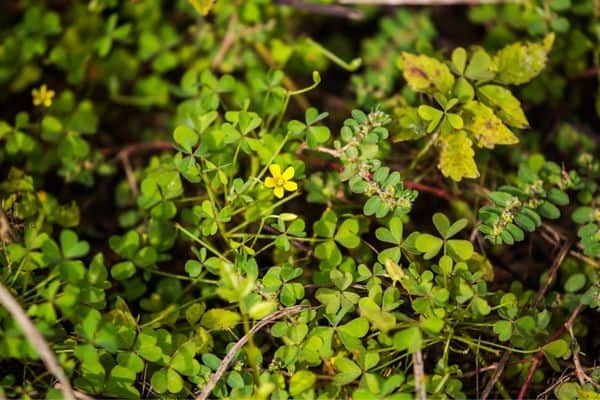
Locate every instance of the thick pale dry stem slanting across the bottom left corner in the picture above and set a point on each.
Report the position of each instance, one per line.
(36, 340)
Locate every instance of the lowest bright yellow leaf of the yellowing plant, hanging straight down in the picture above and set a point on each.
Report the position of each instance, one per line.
(457, 156)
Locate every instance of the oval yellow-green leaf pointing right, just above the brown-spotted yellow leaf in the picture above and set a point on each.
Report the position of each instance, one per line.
(504, 105)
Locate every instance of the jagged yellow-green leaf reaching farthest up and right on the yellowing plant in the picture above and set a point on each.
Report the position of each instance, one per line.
(520, 62)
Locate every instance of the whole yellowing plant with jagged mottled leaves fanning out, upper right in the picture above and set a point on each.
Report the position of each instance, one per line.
(468, 101)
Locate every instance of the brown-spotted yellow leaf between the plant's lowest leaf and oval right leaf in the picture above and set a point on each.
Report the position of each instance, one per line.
(486, 127)
